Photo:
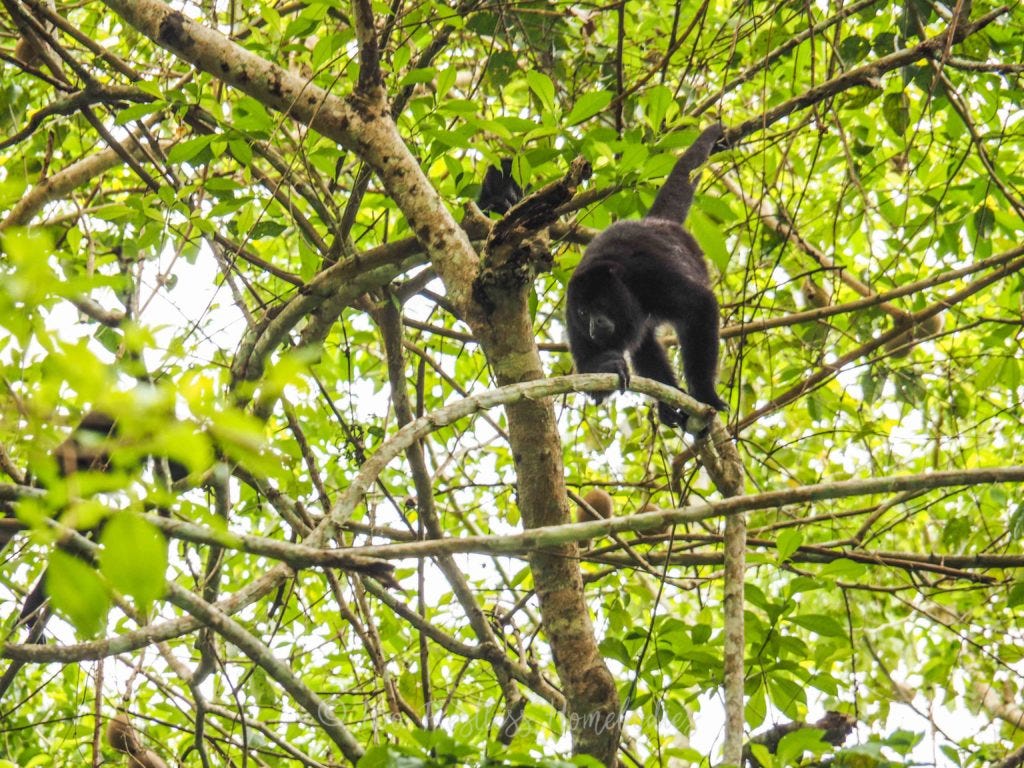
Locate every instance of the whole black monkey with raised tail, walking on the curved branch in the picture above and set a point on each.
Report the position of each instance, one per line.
(637, 275)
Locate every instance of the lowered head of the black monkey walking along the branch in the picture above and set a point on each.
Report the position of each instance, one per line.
(603, 307)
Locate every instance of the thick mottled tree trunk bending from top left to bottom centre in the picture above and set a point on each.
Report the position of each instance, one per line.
(363, 124)
